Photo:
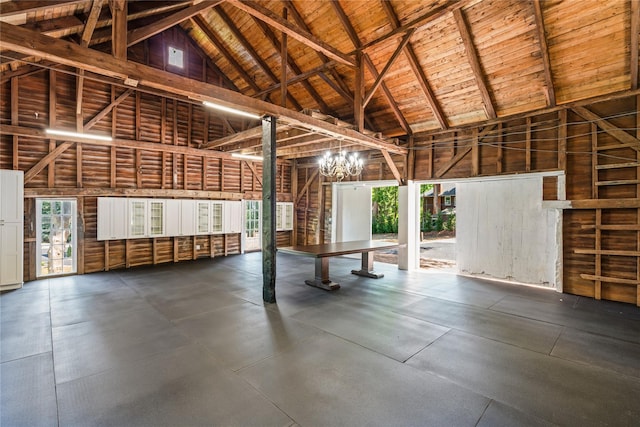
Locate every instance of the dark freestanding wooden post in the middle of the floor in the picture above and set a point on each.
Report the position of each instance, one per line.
(269, 209)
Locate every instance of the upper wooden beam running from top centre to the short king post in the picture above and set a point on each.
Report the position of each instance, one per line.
(298, 34)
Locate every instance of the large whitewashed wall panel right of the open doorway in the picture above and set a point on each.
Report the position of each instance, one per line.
(503, 231)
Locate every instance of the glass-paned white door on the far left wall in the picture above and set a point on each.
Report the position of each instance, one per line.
(56, 236)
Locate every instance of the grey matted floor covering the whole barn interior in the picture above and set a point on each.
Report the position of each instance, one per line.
(192, 344)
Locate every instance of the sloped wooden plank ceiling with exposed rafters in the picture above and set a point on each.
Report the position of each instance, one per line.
(381, 69)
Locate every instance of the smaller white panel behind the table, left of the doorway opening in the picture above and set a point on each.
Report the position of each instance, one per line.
(351, 212)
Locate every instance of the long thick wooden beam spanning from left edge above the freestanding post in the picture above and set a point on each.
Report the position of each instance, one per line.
(64, 52)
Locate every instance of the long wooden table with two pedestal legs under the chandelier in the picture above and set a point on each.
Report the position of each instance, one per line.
(323, 252)
